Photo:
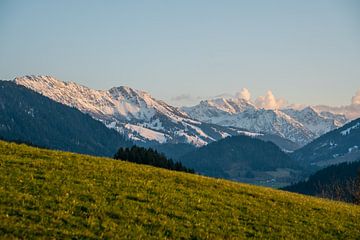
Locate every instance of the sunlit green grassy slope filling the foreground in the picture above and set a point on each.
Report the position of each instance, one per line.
(50, 194)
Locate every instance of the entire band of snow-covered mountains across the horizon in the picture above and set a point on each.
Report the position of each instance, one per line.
(149, 121)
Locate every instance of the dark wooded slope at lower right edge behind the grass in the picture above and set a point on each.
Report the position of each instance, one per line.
(338, 182)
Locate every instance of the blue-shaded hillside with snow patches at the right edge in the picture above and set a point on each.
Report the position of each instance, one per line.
(340, 145)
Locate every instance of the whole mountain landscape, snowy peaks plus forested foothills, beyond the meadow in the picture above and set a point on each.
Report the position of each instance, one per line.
(256, 145)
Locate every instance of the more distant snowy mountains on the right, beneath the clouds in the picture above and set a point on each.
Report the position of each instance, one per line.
(300, 126)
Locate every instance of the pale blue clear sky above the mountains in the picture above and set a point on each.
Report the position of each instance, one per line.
(304, 51)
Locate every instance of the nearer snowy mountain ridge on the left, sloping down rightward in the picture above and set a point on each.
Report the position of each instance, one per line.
(139, 116)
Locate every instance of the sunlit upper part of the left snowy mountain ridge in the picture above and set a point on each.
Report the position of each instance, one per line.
(124, 102)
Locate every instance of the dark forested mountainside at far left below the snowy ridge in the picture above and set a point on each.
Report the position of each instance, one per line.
(27, 116)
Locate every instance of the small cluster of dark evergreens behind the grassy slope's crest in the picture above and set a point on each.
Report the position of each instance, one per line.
(149, 156)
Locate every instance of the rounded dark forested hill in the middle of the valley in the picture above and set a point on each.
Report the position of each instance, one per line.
(244, 159)
